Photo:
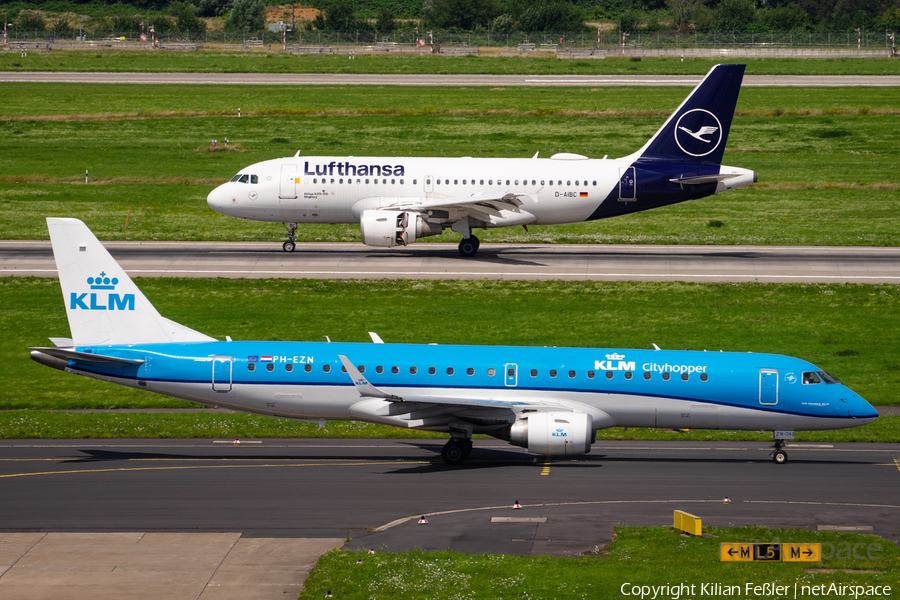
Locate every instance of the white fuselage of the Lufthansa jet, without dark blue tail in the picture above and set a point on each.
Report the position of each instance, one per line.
(324, 189)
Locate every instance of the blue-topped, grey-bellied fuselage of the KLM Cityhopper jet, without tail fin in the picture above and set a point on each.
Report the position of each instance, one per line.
(618, 387)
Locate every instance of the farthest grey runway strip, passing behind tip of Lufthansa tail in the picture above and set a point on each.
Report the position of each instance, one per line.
(442, 80)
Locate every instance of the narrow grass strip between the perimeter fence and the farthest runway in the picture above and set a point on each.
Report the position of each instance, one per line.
(277, 62)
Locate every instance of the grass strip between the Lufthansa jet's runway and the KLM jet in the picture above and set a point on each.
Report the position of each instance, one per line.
(851, 331)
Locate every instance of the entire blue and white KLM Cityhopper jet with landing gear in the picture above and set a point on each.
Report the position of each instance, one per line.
(551, 401)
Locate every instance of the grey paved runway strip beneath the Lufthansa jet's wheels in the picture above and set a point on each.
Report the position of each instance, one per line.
(494, 261)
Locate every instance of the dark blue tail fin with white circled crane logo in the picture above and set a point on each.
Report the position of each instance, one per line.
(698, 130)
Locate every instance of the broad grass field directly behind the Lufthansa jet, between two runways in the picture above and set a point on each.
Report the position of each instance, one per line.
(826, 157)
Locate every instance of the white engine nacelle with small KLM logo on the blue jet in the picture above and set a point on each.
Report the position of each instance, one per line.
(554, 433)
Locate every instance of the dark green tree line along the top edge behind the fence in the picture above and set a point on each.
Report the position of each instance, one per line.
(496, 16)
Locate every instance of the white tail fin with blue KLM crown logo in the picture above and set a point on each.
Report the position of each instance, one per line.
(103, 305)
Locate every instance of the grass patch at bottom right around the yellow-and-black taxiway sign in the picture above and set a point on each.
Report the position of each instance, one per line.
(652, 556)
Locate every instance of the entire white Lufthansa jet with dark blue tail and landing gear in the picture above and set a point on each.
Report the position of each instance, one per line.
(399, 200)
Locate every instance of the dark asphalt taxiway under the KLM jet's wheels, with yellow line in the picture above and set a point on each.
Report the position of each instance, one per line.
(375, 490)
